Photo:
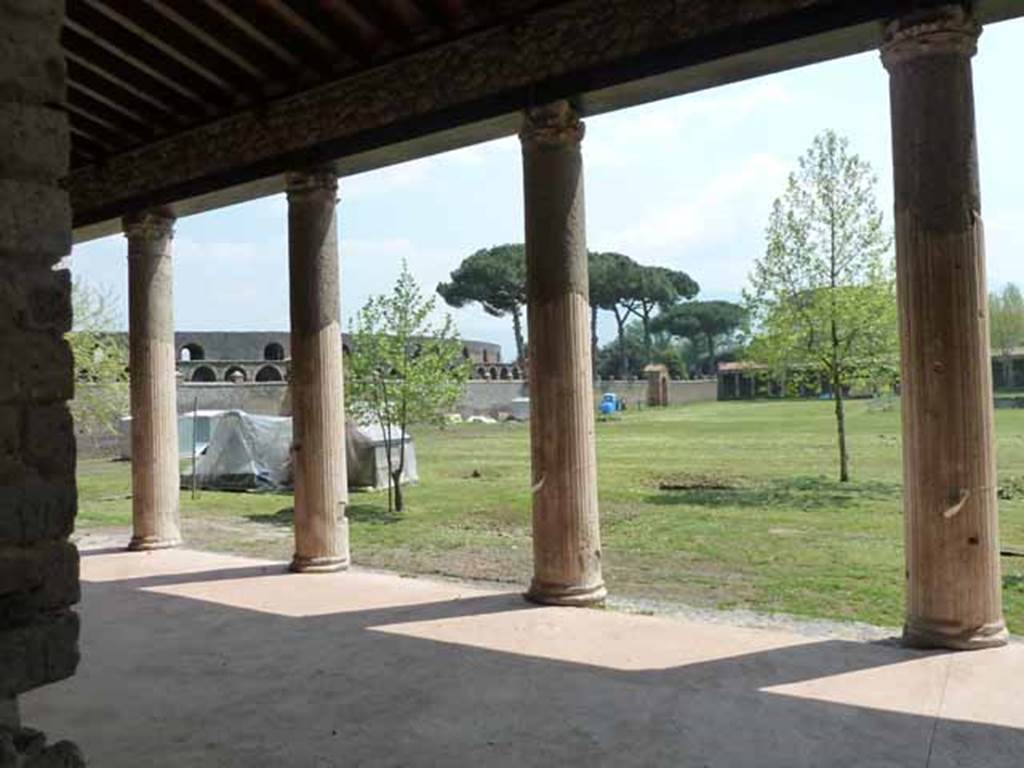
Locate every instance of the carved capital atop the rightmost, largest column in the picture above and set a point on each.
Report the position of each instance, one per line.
(948, 30)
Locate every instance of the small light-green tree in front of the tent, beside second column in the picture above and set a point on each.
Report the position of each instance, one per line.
(405, 369)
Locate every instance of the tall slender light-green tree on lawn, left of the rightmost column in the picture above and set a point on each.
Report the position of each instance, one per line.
(823, 298)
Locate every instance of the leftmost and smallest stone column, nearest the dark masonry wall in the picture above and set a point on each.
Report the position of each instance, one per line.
(155, 476)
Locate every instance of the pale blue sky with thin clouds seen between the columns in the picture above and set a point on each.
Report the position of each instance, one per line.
(687, 183)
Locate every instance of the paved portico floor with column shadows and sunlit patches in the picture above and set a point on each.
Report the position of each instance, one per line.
(199, 660)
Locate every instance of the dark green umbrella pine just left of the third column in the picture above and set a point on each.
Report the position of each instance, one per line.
(496, 279)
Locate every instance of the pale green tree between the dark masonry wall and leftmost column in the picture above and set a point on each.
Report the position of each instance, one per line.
(101, 357)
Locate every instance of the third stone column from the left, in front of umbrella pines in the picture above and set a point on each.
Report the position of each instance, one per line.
(567, 536)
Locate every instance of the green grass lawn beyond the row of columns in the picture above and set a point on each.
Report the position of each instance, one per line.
(753, 517)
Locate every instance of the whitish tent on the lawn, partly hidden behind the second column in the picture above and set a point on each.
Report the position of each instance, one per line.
(248, 452)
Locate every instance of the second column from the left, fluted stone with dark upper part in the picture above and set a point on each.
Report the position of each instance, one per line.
(318, 392)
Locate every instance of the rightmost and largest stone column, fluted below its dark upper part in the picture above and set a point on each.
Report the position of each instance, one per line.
(953, 558)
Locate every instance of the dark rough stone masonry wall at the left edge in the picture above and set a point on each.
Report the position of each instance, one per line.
(38, 567)
